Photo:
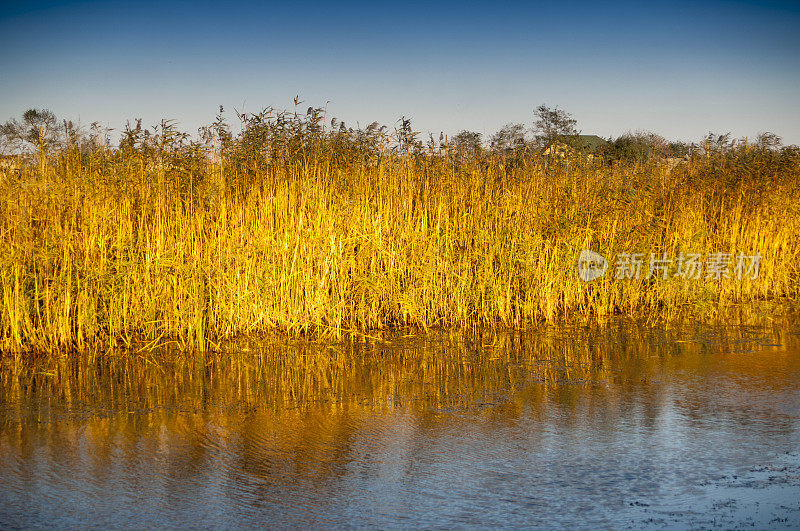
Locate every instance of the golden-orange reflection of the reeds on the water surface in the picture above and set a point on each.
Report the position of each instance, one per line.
(292, 393)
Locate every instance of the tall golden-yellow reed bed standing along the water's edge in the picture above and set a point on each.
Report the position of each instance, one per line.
(163, 241)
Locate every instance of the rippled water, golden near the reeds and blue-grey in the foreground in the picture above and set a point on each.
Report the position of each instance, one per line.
(623, 425)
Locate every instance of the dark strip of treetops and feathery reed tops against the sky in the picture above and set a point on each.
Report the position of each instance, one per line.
(273, 135)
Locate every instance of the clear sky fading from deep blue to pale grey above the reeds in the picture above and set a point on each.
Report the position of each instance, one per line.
(677, 69)
